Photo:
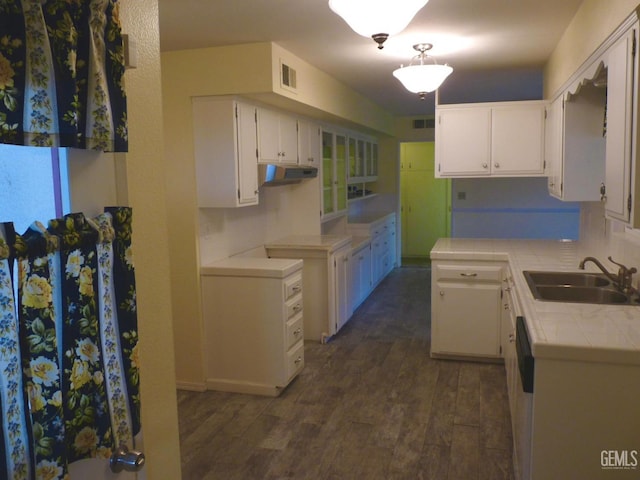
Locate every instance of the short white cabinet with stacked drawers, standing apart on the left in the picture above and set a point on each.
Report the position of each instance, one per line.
(253, 319)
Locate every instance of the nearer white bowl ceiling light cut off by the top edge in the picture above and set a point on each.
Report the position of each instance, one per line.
(377, 18)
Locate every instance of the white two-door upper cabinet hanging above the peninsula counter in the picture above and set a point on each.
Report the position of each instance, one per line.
(492, 139)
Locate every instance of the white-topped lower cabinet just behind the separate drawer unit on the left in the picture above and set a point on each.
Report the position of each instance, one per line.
(325, 278)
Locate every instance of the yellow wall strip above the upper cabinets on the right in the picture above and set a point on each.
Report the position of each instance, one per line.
(594, 21)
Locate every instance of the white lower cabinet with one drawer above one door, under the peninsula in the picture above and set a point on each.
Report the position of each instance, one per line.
(465, 309)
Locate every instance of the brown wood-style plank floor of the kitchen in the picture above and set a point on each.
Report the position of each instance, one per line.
(370, 404)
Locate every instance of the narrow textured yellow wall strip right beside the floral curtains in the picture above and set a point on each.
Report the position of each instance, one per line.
(147, 196)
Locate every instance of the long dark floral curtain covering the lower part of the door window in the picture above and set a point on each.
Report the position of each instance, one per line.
(69, 388)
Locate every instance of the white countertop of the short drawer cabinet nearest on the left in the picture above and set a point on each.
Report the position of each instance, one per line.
(252, 267)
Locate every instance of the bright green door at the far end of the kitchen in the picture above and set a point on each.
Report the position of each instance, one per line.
(426, 201)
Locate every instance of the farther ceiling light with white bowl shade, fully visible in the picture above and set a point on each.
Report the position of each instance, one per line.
(422, 79)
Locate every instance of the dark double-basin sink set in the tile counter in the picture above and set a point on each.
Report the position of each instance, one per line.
(576, 287)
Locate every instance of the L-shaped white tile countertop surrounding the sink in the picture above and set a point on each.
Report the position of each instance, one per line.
(570, 331)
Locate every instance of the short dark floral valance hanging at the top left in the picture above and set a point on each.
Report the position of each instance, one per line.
(61, 74)
